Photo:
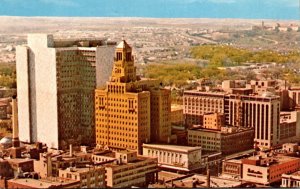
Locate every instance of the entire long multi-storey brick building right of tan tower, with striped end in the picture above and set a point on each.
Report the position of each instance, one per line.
(260, 112)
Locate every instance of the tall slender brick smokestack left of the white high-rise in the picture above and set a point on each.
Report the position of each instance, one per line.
(15, 139)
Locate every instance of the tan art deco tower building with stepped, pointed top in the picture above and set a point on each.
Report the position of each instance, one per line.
(131, 111)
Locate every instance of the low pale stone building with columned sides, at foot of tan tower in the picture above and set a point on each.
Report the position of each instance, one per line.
(180, 158)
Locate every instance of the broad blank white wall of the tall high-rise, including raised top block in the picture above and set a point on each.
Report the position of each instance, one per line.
(44, 90)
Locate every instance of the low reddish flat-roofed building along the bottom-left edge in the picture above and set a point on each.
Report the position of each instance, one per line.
(42, 183)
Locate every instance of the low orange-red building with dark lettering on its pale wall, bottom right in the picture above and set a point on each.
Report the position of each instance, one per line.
(267, 168)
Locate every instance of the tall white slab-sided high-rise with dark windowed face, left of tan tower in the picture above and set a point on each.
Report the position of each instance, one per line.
(56, 82)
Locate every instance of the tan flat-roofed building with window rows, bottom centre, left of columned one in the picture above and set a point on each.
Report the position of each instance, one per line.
(126, 168)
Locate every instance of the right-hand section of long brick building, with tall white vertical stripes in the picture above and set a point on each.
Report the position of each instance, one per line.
(260, 112)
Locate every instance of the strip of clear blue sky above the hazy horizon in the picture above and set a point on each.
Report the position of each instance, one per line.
(252, 9)
